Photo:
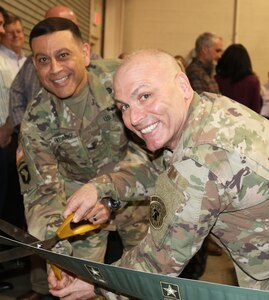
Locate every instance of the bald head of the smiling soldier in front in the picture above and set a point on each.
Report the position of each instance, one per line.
(153, 95)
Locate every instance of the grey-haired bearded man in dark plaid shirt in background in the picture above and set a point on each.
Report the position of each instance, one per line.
(208, 50)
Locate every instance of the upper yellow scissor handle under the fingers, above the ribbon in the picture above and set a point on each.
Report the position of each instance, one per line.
(65, 230)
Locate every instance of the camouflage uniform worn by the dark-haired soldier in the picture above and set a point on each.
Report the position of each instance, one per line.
(66, 143)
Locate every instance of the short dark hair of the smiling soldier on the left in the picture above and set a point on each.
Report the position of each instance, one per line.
(55, 24)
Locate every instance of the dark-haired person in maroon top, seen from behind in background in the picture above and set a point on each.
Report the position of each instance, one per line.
(236, 78)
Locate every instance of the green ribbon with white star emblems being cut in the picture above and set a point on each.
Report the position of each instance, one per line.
(142, 285)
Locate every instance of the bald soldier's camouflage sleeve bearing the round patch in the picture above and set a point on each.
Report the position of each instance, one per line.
(182, 211)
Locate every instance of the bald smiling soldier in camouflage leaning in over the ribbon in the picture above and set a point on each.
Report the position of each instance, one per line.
(216, 179)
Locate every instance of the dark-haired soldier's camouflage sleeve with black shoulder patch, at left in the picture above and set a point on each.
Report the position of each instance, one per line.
(40, 181)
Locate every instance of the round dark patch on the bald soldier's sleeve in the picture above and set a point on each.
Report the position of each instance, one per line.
(157, 212)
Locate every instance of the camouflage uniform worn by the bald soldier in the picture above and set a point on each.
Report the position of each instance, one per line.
(216, 181)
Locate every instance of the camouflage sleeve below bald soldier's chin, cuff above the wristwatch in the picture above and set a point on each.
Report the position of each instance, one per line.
(133, 177)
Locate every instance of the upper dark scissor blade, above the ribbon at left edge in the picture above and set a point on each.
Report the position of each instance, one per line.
(16, 232)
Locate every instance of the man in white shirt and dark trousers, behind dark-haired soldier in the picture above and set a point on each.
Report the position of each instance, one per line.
(11, 60)
